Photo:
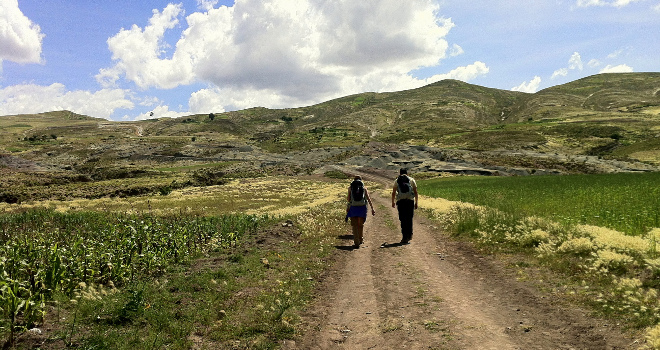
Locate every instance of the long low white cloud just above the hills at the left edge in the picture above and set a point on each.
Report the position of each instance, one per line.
(26, 99)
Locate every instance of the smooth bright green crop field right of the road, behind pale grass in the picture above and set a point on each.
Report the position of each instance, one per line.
(625, 202)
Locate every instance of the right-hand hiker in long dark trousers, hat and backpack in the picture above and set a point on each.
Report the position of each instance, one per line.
(405, 199)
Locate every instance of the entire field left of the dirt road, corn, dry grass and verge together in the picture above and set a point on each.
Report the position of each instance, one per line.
(158, 270)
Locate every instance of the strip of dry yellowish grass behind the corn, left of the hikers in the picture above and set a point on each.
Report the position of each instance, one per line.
(277, 196)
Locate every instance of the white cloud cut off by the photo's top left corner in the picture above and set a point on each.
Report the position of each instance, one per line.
(20, 39)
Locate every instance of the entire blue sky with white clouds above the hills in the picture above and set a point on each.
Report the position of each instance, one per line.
(131, 60)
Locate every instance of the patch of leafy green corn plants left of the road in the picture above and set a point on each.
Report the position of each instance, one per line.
(44, 252)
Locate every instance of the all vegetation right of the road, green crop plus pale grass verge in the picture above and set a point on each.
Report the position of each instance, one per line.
(598, 231)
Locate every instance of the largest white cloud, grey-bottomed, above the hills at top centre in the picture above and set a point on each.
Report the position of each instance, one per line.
(285, 51)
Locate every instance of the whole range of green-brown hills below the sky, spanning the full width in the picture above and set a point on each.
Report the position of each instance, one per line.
(602, 123)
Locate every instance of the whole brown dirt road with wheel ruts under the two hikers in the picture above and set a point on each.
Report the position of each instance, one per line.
(437, 293)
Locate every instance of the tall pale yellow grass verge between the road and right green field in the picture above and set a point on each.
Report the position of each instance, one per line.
(623, 270)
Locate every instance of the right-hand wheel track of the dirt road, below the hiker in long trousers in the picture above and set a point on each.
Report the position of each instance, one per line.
(433, 301)
